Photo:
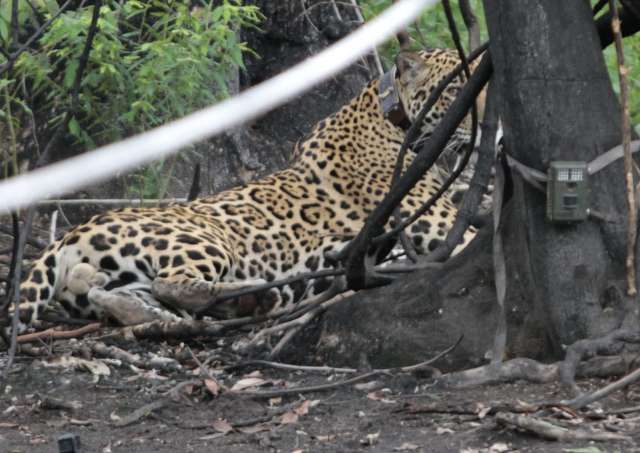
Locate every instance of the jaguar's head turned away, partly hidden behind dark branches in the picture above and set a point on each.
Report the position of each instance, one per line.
(417, 75)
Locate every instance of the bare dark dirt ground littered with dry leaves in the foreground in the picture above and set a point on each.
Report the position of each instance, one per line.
(117, 407)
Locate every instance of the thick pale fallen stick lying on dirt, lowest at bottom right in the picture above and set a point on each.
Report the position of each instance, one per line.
(554, 432)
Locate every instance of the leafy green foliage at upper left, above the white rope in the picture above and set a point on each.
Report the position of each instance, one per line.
(151, 61)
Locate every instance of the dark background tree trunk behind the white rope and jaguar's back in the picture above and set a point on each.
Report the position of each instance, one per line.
(288, 35)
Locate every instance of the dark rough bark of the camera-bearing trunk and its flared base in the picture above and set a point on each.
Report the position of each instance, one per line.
(565, 282)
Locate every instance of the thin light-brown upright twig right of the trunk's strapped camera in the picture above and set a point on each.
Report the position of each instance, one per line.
(632, 220)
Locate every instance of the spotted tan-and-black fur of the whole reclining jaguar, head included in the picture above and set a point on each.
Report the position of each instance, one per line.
(185, 255)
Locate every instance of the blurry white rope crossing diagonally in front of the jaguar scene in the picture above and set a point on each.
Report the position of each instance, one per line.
(106, 161)
